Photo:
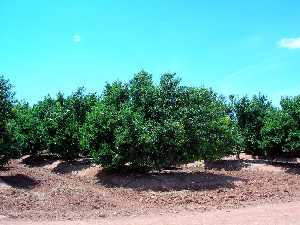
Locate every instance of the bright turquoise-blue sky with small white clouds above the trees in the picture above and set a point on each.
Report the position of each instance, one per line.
(239, 47)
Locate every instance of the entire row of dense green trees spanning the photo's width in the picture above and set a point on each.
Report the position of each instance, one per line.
(143, 125)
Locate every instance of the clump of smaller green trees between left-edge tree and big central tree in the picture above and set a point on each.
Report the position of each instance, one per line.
(52, 125)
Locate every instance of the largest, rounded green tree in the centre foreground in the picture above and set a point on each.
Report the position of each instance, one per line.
(154, 126)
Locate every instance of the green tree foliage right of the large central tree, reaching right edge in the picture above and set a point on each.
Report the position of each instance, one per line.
(267, 130)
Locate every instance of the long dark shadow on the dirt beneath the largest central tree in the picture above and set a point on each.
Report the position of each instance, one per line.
(169, 181)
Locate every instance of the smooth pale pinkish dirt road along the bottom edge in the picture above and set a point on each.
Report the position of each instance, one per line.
(269, 214)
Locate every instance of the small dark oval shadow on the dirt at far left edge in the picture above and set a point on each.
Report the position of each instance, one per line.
(20, 181)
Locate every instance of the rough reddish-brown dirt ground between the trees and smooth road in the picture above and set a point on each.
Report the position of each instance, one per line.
(52, 190)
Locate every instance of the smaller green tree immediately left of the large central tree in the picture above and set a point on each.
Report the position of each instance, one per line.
(63, 121)
